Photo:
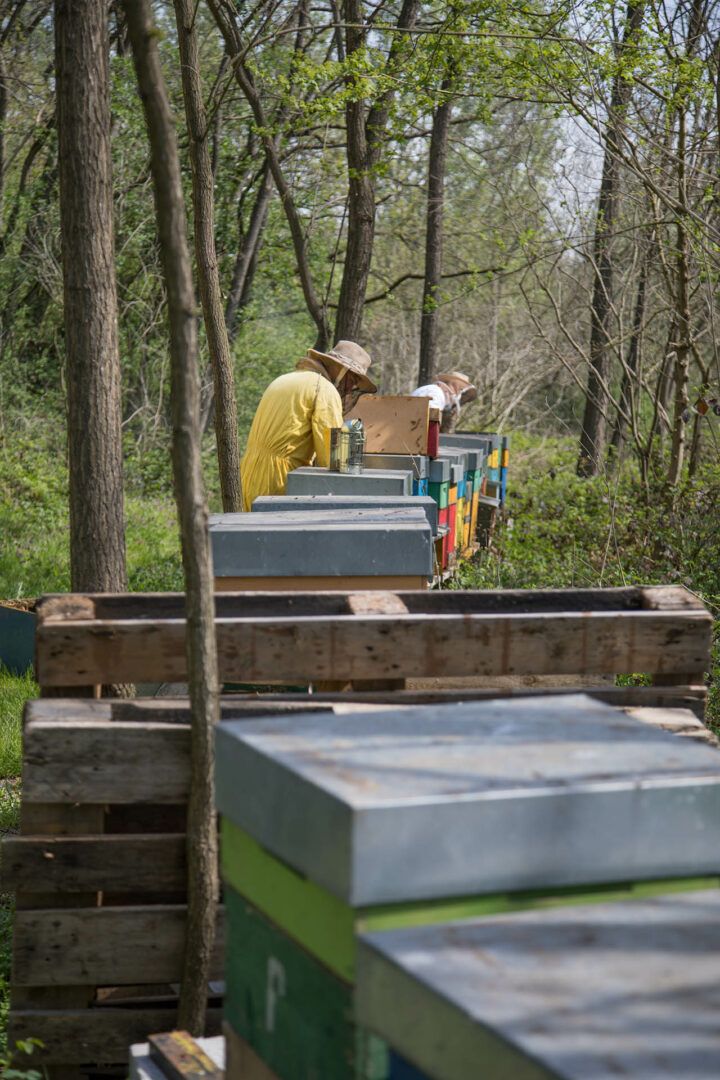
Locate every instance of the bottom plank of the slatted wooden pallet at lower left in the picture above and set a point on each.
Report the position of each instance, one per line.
(94, 1036)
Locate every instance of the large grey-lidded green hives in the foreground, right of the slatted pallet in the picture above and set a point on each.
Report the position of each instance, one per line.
(382, 823)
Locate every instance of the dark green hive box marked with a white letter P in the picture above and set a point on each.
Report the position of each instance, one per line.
(295, 1015)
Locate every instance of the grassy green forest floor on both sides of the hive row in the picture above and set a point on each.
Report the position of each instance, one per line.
(560, 532)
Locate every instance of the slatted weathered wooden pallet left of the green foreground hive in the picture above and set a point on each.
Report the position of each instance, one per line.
(100, 876)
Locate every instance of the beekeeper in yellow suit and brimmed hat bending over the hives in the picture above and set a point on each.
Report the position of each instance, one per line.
(294, 413)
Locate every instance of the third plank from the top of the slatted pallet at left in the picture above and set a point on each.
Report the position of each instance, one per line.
(112, 947)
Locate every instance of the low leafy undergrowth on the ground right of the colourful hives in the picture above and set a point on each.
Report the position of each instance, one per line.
(561, 532)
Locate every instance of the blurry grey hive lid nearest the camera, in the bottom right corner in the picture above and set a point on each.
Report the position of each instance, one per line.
(624, 990)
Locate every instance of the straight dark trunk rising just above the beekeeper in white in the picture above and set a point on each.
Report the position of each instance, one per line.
(437, 166)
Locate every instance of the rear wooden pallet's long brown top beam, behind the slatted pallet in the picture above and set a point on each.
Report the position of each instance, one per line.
(303, 639)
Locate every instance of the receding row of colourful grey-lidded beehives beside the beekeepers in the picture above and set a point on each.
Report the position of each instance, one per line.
(361, 541)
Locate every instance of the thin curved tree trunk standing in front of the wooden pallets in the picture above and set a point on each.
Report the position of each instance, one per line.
(200, 606)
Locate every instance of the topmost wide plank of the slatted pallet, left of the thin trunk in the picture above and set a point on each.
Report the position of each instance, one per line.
(104, 761)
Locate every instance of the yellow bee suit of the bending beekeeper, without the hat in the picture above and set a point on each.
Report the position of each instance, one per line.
(288, 433)
